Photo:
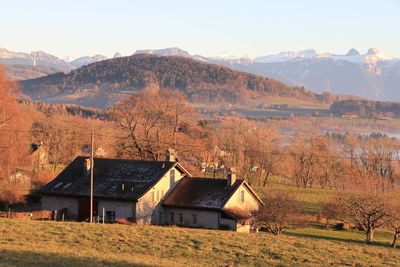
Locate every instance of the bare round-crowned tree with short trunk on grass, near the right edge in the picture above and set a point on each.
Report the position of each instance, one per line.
(367, 210)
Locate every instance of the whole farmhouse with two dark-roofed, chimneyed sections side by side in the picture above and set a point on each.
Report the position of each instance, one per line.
(151, 192)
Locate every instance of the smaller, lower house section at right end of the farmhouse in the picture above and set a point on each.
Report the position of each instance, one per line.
(212, 203)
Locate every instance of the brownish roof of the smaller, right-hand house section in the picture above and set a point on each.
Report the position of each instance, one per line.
(201, 193)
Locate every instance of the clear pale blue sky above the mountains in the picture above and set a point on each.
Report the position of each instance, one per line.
(255, 28)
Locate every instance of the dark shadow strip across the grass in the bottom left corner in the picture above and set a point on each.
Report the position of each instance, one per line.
(29, 258)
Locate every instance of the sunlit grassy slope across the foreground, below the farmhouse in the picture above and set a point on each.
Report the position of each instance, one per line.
(33, 243)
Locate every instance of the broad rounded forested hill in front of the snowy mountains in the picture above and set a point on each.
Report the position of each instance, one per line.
(200, 82)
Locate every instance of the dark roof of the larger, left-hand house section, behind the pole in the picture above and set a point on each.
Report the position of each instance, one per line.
(113, 178)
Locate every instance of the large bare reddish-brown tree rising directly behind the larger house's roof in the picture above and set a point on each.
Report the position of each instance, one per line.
(152, 122)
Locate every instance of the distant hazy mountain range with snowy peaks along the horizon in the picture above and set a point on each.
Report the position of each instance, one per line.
(374, 75)
